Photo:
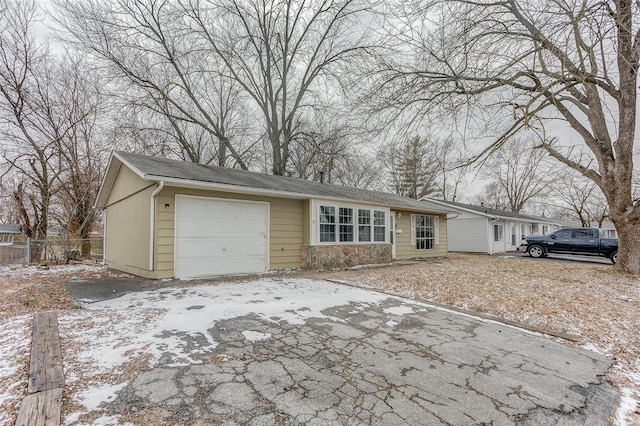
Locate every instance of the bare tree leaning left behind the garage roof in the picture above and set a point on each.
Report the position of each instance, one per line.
(161, 67)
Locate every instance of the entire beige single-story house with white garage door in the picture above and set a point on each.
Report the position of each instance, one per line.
(166, 218)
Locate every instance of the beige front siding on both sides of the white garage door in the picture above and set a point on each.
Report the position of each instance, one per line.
(285, 228)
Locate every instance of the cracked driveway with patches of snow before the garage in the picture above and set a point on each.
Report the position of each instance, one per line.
(296, 351)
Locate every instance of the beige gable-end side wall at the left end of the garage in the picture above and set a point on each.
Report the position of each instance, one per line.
(127, 230)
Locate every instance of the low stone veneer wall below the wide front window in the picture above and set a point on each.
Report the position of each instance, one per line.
(344, 256)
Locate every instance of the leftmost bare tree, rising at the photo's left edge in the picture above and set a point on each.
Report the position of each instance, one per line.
(30, 150)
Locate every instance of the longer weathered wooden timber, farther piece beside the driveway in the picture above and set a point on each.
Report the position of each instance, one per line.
(45, 369)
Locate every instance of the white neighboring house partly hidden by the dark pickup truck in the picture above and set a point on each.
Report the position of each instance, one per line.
(482, 229)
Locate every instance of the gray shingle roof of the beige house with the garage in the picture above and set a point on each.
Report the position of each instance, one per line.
(156, 169)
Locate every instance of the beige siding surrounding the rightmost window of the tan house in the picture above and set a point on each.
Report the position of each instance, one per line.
(404, 247)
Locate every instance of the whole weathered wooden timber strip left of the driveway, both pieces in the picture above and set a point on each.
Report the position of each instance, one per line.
(42, 407)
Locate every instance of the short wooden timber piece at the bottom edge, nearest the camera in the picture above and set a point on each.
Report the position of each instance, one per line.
(40, 409)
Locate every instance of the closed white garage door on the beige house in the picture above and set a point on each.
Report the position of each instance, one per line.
(220, 237)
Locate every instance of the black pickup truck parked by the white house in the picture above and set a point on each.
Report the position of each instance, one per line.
(583, 241)
